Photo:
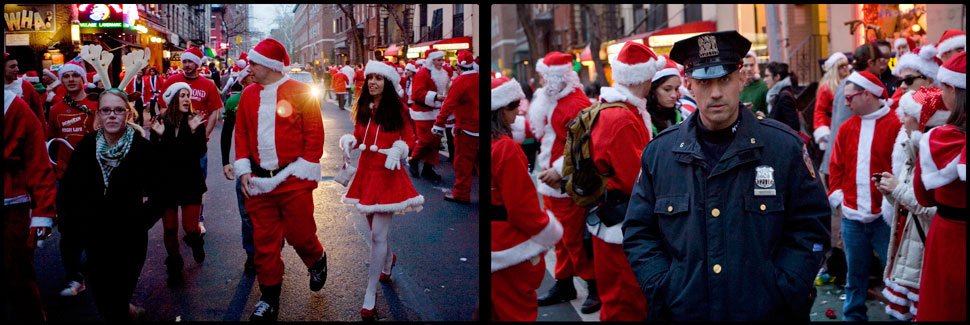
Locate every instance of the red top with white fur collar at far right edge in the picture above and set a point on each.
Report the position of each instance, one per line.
(941, 174)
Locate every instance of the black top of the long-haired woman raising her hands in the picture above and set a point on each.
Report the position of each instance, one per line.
(180, 167)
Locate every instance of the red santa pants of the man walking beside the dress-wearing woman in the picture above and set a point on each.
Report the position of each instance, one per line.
(274, 217)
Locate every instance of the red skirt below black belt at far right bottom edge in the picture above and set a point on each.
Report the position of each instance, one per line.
(943, 282)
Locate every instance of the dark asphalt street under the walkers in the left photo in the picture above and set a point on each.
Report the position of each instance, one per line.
(436, 277)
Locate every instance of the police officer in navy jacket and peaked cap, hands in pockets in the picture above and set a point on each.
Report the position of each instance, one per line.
(728, 220)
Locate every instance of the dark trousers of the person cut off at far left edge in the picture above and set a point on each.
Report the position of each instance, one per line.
(21, 295)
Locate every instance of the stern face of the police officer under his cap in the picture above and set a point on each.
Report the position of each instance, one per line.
(717, 99)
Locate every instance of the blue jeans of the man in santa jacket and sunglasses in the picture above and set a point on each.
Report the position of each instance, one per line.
(860, 239)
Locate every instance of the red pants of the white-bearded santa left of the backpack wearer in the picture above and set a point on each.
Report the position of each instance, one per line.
(571, 257)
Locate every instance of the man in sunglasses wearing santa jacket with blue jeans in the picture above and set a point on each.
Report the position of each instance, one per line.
(863, 147)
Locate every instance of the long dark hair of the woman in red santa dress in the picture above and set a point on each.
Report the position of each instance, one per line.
(389, 113)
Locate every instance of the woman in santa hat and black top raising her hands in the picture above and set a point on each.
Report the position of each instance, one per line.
(180, 136)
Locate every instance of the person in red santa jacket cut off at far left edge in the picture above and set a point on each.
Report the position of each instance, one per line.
(28, 208)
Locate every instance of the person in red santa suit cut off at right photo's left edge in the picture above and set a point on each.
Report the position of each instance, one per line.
(521, 232)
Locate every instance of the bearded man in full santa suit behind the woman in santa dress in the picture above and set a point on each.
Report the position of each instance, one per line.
(429, 88)
